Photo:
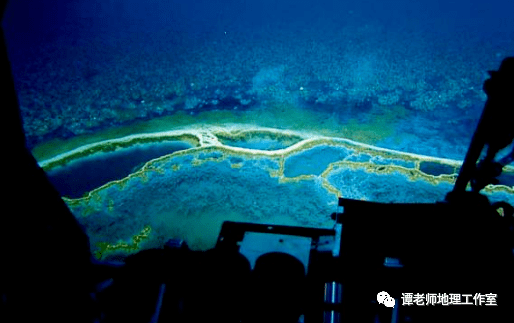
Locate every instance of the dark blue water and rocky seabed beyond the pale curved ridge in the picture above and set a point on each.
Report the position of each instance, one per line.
(409, 72)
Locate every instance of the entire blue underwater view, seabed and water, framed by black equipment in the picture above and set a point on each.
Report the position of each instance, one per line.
(260, 98)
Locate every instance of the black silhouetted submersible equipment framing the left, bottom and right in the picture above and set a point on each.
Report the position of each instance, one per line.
(267, 273)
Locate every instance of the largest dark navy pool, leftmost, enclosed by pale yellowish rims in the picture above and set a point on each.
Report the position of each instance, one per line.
(84, 175)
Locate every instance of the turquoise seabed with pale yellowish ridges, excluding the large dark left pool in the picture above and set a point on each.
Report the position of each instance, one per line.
(246, 174)
